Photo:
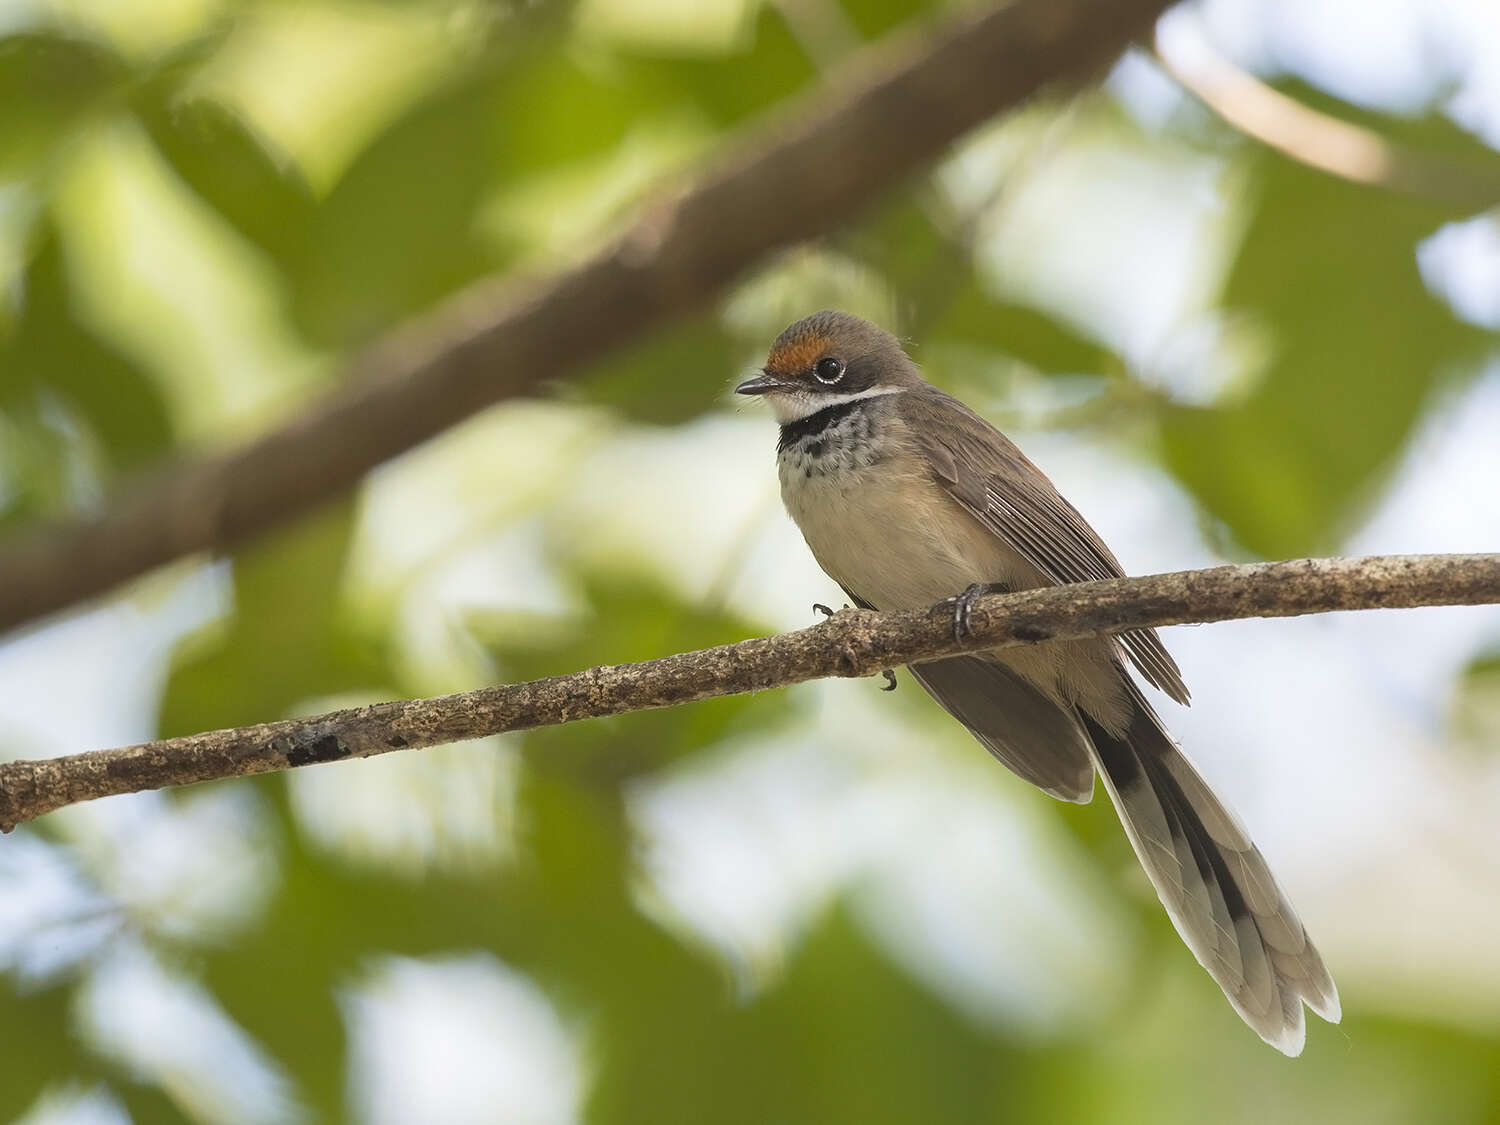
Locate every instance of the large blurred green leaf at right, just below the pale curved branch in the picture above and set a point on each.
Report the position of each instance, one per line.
(1328, 272)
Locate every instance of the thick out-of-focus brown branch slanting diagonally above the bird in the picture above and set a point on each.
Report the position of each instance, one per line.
(895, 109)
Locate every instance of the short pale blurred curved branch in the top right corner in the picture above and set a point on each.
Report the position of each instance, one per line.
(1316, 139)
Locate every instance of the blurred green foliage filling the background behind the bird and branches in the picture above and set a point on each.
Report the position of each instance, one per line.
(530, 136)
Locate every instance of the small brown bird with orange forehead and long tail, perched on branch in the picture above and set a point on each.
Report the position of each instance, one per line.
(908, 499)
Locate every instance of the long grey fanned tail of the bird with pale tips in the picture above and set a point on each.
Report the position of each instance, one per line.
(1214, 881)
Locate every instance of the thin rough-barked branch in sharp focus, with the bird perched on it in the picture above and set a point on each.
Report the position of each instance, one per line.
(853, 644)
